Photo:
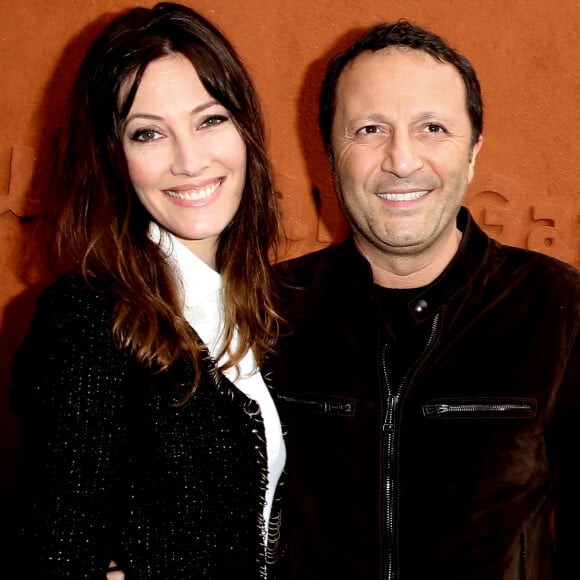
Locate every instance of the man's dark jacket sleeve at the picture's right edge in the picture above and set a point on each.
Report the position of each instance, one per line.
(567, 468)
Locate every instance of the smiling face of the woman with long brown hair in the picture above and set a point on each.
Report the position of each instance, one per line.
(186, 158)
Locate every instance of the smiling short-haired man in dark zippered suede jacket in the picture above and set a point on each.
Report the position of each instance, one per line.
(431, 381)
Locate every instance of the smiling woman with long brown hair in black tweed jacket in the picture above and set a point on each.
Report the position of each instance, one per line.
(149, 437)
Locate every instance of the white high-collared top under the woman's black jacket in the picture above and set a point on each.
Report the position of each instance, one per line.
(203, 309)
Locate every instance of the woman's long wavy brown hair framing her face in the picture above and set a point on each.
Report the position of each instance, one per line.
(102, 226)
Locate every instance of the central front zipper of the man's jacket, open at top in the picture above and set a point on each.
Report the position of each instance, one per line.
(390, 427)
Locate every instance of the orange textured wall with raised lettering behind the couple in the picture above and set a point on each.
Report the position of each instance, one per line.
(526, 52)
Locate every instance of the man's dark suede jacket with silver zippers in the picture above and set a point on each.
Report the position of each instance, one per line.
(456, 473)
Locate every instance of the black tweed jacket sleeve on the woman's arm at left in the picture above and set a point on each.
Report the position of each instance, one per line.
(70, 392)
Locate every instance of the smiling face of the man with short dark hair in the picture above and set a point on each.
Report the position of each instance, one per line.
(401, 137)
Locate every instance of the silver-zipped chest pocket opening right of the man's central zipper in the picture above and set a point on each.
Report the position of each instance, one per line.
(480, 408)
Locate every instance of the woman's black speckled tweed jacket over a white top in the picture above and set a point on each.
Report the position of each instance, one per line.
(111, 469)
